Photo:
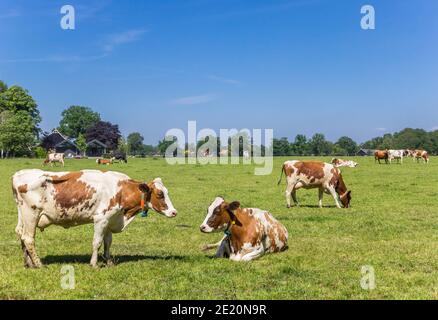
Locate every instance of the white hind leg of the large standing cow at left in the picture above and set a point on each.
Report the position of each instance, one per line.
(30, 222)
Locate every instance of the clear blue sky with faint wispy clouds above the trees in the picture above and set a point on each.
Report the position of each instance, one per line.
(302, 66)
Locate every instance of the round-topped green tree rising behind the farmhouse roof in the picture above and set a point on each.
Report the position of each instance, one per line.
(76, 120)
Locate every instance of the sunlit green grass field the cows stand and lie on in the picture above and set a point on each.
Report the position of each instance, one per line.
(392, 226)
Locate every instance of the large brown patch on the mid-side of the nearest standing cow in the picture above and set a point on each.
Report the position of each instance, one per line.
(70, 192)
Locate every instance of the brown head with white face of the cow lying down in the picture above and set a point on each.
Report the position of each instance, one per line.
(219, 215)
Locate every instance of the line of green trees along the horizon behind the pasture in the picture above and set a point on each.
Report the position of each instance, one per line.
(20, 134)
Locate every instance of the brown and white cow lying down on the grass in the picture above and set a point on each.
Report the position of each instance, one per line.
(249, 232)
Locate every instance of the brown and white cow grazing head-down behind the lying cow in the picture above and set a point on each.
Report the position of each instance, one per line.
(315, 174)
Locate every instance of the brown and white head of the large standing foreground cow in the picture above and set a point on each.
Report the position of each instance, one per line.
(157, 198)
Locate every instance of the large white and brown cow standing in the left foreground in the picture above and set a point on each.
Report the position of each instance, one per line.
(109, 200)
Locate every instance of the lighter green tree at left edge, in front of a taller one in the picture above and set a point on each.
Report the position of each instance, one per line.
(16, 142)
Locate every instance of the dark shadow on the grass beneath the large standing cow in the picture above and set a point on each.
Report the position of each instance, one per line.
(118, 259)
